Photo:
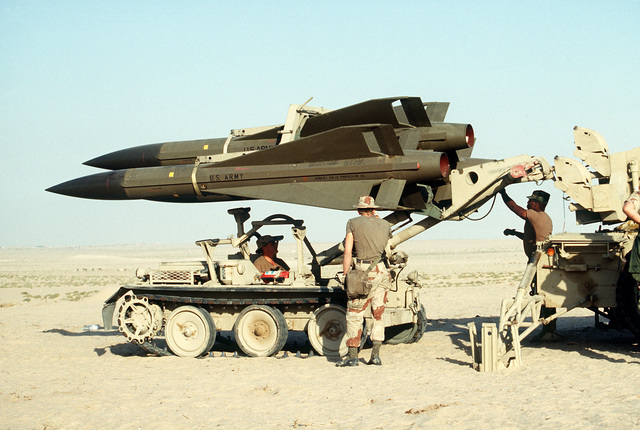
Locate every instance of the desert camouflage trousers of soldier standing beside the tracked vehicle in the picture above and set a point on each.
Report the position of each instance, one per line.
(375, 301)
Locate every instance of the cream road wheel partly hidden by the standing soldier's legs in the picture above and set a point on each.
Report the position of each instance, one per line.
(327, 331)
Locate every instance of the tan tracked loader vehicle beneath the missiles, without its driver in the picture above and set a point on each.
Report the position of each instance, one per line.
(186, 303)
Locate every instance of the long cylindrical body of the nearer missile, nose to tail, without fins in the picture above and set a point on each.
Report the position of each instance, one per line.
(176, 182)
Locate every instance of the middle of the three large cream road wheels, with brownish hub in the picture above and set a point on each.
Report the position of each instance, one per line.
(261, 330)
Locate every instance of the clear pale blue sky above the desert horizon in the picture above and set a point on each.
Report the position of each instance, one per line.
(79, 79)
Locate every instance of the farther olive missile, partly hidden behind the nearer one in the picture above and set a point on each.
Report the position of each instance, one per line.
(403, 114)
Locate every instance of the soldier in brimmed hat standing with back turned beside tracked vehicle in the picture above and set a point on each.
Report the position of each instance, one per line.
(367, 237)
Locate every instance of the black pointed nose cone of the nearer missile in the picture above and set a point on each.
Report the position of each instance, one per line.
(103, 186)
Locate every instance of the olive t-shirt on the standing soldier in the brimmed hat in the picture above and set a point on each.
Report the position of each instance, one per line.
(370, 236)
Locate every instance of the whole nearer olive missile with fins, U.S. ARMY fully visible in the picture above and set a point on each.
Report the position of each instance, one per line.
(327, 169)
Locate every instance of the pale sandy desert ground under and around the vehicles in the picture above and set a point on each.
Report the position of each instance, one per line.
(54, 375)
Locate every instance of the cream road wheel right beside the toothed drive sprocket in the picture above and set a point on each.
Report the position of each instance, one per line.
(190, 331)
